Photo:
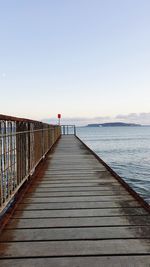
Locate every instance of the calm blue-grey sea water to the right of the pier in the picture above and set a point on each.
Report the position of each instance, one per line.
(126, 150)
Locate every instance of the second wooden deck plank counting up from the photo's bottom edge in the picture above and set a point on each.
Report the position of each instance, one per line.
(74, 248)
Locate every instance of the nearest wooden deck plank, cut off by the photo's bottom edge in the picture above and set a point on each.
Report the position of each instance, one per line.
(94, 261)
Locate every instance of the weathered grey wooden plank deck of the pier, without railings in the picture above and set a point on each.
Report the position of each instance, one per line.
(76, 213)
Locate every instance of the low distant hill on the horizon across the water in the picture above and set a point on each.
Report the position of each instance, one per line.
(113, 124)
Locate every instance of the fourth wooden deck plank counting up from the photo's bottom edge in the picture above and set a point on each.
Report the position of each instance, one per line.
(78, 222)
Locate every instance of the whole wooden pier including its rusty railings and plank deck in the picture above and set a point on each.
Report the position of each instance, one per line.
(61, 205)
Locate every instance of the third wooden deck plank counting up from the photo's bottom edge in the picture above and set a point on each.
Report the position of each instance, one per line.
(90, 233)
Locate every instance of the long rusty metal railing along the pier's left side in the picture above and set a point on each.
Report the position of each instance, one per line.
(23, 144)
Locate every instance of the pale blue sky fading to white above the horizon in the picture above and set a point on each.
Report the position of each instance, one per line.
(86, 59)
